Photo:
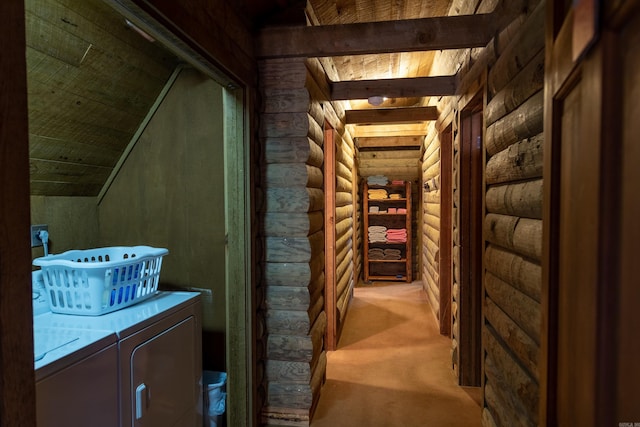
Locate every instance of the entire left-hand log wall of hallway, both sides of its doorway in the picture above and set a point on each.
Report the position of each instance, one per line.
(292, 315)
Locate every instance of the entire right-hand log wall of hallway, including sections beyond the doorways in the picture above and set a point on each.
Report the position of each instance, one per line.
(510, 71)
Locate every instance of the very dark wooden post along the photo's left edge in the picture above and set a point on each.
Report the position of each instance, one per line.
(17, 386)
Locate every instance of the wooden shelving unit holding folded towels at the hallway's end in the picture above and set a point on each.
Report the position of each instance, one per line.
(388, 269)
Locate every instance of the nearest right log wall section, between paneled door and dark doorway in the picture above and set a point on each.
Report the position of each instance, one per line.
(513, 226)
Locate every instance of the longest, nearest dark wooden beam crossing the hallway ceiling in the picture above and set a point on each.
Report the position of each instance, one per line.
(410, 35)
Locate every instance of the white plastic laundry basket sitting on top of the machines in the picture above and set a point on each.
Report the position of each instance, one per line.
(98, 281)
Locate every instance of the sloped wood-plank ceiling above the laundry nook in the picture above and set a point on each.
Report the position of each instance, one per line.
(91, 81)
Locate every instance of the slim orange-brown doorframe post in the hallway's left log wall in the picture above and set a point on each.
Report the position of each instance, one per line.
(330, 297)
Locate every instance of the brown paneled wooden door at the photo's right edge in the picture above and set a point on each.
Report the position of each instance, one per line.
(589, 84)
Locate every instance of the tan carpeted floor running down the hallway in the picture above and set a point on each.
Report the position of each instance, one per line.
(392, 367)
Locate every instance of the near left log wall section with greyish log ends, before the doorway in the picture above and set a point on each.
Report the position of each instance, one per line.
(292, 314)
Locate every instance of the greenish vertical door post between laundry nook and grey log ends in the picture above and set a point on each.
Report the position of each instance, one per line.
(239, 333)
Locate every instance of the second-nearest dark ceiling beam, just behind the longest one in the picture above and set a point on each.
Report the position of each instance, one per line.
(395, 88)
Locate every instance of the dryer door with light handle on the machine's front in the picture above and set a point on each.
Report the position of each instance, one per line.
(163, 392)
